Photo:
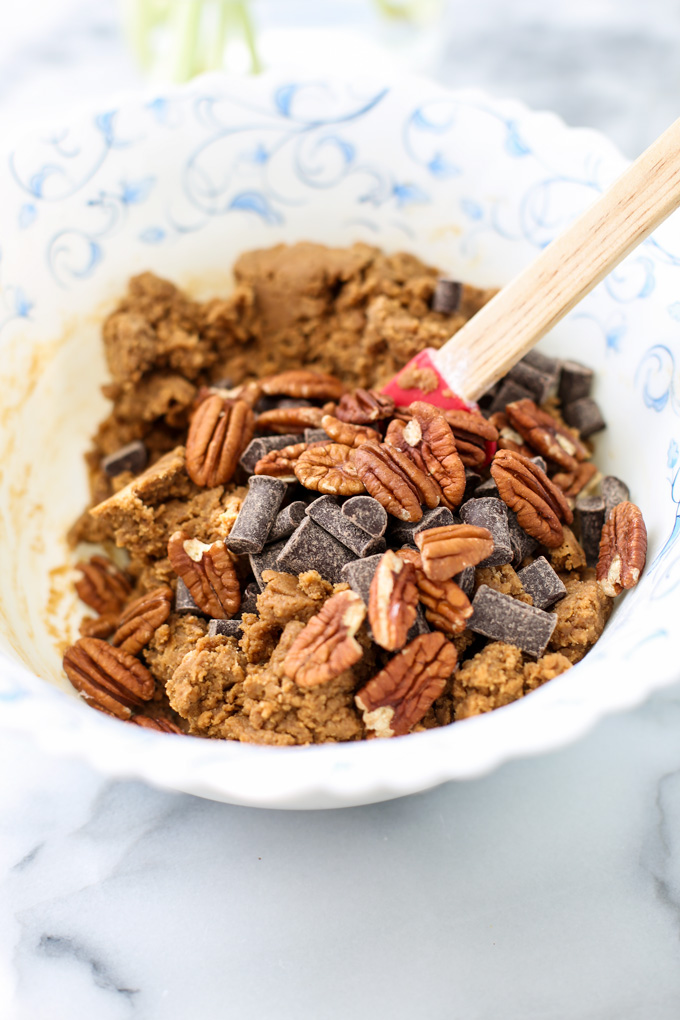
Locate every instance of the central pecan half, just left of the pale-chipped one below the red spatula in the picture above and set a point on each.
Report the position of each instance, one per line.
(396, 481)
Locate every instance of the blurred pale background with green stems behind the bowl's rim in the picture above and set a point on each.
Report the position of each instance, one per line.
(611, 65)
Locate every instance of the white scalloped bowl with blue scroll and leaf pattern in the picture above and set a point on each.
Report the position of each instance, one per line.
(183, 183)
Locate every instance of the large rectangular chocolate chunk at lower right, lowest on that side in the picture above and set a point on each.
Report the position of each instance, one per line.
(501, 618)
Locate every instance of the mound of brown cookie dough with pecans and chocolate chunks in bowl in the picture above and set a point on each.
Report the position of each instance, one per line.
(293, 559)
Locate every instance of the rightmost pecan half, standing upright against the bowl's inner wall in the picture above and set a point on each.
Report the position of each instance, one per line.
(623, 549)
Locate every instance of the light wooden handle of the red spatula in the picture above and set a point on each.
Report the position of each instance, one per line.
(503, 332)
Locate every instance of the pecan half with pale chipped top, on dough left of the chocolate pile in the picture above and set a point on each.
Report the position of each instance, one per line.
(208, 573)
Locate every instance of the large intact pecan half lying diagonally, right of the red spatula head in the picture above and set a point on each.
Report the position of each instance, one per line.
(540, 505)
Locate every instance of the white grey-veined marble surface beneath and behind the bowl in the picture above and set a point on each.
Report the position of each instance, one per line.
(549, 891)
